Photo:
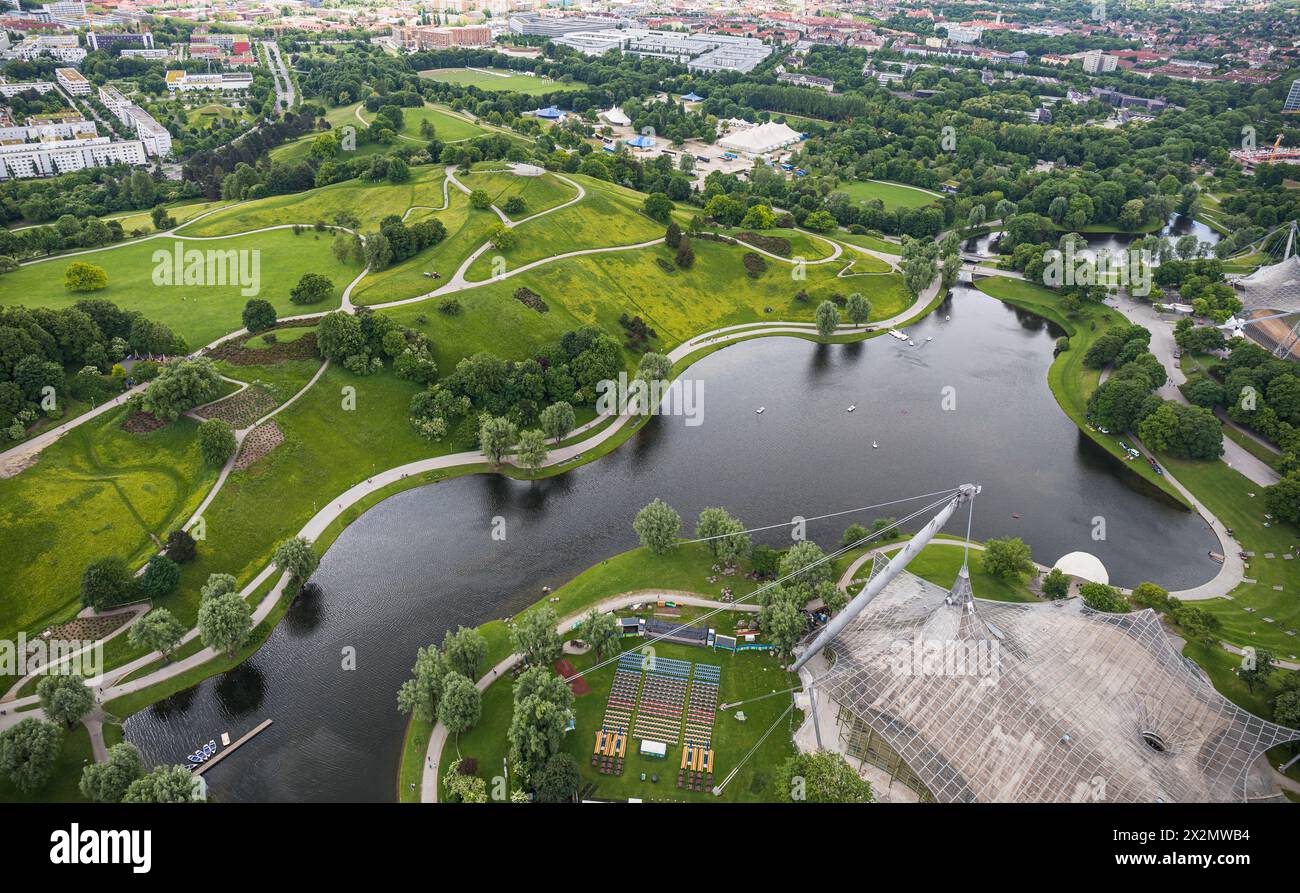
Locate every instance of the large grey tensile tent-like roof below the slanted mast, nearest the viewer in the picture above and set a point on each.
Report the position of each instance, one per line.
(964, 700)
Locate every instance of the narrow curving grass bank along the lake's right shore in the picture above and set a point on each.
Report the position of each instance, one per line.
(1071, 382)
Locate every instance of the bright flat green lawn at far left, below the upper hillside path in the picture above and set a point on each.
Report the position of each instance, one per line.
(198, 314)
